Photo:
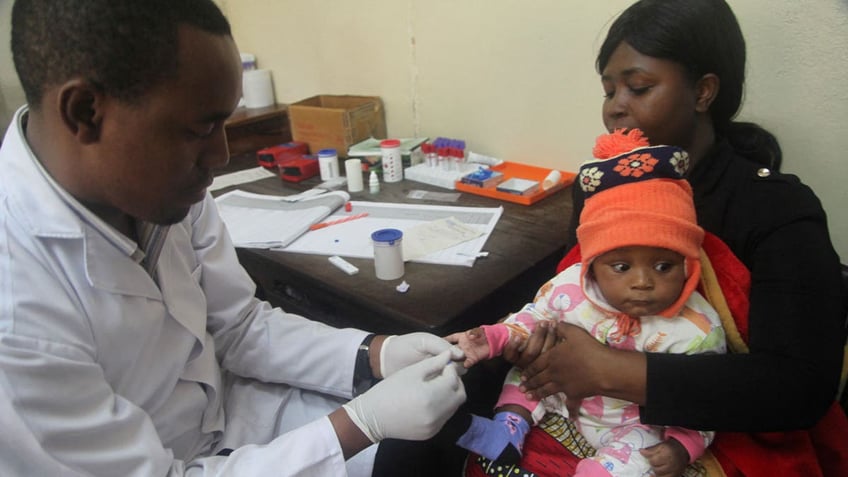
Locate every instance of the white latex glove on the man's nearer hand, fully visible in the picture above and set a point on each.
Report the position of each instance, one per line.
(412, 404)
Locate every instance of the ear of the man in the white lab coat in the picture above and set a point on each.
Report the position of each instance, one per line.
(81, 109)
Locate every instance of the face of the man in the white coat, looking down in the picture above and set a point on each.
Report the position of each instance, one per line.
(155, 158)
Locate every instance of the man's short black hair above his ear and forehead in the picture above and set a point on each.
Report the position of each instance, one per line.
(125, 47)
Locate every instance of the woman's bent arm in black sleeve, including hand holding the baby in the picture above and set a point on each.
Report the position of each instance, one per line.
(796, 345)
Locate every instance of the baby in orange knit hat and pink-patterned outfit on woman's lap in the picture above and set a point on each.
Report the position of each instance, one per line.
(633, 290)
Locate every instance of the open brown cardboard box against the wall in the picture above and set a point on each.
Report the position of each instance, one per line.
(338, 122)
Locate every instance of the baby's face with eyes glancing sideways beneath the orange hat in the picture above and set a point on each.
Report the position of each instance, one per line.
(640, 281)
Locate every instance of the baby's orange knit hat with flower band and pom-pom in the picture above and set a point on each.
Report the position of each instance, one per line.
(635, 194)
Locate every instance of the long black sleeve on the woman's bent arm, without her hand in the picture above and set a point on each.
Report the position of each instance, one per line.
(796, 342)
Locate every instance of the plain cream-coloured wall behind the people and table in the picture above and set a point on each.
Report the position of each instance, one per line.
(516, 79)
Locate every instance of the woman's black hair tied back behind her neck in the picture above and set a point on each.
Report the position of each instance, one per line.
(704, 37)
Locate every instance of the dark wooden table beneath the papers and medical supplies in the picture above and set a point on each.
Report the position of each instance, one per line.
(524, 249)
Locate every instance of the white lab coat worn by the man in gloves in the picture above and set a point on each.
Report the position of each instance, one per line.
(104, 373)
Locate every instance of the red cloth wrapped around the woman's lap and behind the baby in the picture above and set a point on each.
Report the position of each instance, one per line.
(819, 452)
